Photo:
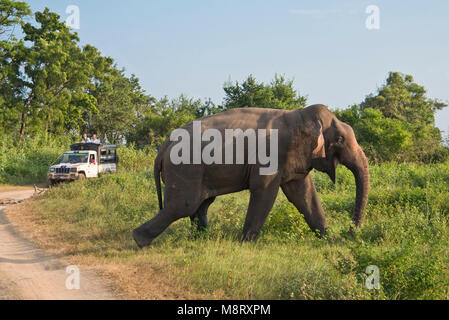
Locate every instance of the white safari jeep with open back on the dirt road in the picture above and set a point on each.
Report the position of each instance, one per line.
(85, 160)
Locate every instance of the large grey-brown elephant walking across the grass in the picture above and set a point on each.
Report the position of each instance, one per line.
(308, 138)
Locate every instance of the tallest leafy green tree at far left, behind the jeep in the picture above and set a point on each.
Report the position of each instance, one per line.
(48, 76)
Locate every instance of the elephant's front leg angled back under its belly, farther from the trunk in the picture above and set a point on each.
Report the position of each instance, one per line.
(260, 204)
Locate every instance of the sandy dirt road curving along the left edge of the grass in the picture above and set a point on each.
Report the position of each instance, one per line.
(29, 273)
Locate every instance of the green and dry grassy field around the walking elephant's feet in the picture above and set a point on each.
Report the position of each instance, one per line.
(405, 233)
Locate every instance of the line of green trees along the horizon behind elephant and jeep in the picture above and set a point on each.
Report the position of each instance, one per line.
(51, 86)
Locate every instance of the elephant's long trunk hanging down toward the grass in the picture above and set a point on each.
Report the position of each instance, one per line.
(359, 167)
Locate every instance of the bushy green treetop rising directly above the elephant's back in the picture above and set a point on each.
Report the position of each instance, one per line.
(279, 94)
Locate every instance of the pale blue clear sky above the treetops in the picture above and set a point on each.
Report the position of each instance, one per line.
(194, 47)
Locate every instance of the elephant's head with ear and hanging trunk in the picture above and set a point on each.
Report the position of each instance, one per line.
(334, 142)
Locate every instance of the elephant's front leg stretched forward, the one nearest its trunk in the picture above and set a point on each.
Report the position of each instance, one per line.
(303, 195)
